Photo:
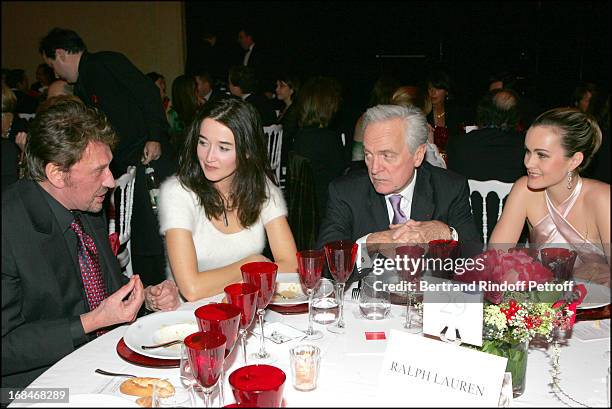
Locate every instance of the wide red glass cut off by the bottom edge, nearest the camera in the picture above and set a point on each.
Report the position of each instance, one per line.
(258, 386)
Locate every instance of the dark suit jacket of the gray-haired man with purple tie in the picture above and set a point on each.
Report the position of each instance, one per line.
(355, 209)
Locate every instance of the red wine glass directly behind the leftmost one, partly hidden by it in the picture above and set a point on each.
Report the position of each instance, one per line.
(223, 318)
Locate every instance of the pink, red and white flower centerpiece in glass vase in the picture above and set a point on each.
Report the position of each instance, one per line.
(513, 318)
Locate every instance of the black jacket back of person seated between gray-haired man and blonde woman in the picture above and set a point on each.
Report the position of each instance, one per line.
(487, 153)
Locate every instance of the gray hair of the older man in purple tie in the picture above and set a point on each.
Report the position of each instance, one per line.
(415, 128)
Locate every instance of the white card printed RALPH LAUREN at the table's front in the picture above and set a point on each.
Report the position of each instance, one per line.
(419, 371)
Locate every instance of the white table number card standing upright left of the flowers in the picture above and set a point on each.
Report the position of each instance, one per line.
(446, 306)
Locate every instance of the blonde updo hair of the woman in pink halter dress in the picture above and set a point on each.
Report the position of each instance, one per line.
(579, 132)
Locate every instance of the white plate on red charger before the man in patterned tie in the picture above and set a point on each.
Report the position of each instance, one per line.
(159, 328)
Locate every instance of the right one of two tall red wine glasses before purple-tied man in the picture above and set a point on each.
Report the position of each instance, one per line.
(341, 261)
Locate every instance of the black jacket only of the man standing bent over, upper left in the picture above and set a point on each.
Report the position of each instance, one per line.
(110, 82)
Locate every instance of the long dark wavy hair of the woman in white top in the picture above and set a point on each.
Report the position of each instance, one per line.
(248, 189)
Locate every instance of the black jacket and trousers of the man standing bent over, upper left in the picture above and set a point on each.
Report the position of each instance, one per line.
(131, 101)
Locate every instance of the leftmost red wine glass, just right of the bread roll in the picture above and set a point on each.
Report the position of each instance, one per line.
(206, 352)
